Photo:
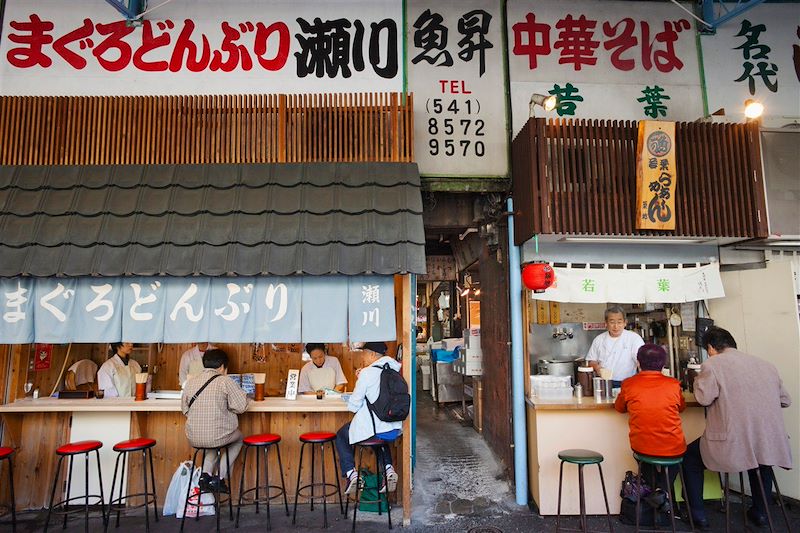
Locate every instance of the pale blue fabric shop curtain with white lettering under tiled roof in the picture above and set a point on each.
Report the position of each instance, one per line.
(173, 310)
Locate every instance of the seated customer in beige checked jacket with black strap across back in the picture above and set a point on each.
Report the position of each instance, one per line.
(211, 402)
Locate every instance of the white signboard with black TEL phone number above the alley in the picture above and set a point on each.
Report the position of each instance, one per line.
(455, 70)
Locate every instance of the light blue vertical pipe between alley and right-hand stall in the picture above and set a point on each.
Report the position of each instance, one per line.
(518, 371)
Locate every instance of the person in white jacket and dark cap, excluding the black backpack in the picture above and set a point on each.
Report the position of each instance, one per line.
(361, 427)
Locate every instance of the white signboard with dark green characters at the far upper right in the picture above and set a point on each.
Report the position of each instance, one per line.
(756, 56)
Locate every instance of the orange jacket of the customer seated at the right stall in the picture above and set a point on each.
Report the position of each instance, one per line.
(653, 403)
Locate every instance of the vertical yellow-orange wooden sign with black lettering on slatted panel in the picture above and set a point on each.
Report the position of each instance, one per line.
(656, 177)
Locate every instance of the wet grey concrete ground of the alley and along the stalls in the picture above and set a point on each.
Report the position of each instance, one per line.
(459, 487)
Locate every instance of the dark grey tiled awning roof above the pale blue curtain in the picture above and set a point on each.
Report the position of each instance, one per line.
(214, 220)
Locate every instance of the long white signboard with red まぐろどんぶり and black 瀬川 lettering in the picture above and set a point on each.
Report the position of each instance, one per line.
(53, 47)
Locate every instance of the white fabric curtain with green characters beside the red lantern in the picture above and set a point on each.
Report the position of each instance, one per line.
(634, 285)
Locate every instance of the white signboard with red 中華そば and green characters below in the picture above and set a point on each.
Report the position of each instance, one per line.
(609, 59)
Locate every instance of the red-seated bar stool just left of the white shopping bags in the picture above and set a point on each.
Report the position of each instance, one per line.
(123, 448)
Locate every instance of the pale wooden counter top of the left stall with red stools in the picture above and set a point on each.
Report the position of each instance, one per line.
(269, 405)
